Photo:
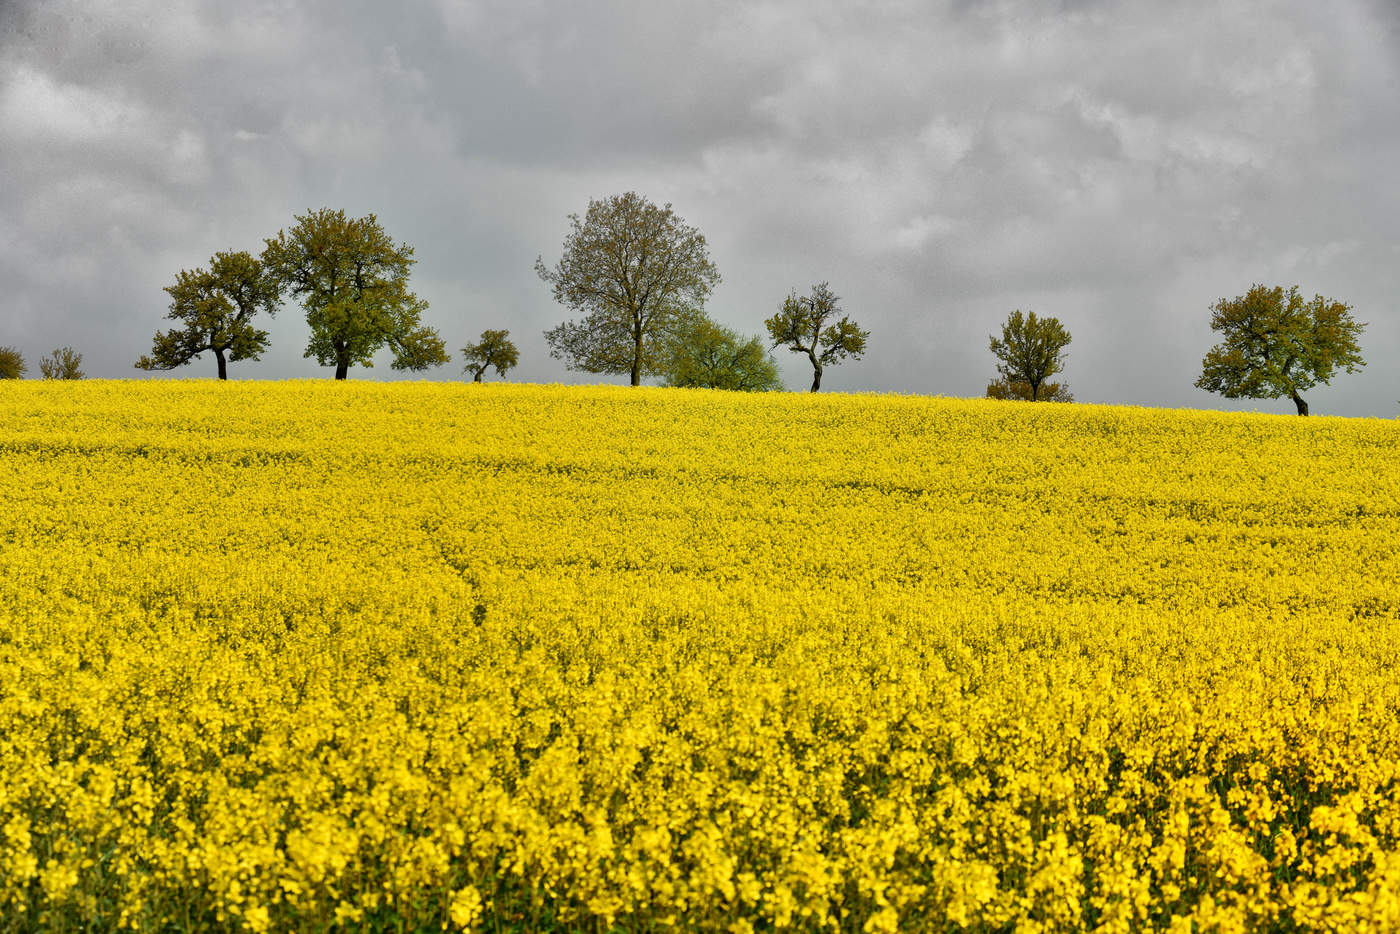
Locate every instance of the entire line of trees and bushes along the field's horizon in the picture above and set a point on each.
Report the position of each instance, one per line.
(636, 278)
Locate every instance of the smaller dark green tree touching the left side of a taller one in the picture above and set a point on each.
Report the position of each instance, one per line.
(216, 307)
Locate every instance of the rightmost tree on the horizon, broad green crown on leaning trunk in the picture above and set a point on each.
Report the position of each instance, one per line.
(1277, 345)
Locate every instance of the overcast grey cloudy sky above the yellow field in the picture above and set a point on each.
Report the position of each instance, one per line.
(1119, 166)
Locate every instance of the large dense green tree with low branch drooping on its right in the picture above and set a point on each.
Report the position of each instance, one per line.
(353, 281)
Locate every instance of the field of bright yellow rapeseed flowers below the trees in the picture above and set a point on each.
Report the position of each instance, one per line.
(317, 656)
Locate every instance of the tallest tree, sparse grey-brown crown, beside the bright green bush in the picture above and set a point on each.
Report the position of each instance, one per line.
(638, 275)
